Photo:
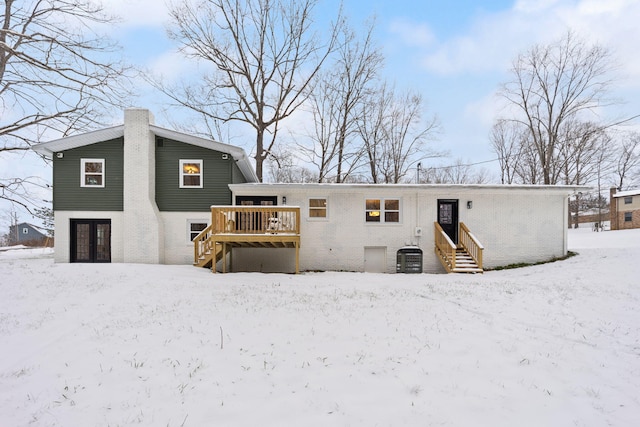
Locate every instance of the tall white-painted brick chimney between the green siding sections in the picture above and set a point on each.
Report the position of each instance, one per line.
(143, 238)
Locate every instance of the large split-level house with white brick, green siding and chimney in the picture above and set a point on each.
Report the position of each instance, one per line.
(140, 193)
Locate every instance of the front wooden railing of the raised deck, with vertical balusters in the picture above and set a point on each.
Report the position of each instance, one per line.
(255, 220)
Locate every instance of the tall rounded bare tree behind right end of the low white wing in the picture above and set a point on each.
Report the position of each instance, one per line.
(553, 85)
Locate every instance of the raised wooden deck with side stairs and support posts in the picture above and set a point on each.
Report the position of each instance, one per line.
(247, 227)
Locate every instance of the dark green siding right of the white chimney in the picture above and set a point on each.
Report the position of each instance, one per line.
(218, 173)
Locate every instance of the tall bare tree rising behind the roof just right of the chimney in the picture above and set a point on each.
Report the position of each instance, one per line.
(265, 58)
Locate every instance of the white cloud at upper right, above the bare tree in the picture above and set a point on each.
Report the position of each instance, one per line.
(494, 39)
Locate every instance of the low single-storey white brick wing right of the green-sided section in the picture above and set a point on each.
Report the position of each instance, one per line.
(514, 223)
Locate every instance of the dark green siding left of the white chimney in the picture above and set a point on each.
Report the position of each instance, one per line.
(68, 195)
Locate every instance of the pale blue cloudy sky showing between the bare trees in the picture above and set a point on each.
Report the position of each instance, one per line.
(455, 53)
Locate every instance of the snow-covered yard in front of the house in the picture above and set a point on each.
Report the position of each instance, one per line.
(120, 345)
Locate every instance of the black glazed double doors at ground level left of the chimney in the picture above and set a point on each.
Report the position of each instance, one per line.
(90, 240)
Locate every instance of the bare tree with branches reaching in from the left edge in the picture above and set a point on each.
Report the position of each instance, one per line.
(57, 76)
